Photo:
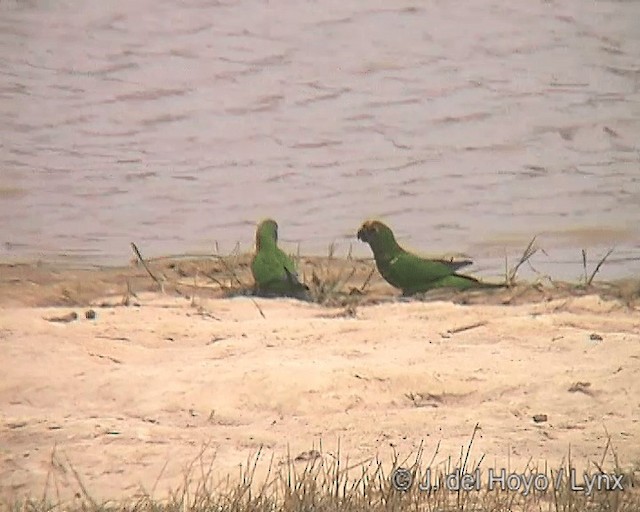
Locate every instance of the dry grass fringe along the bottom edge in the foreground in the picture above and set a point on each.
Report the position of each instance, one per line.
(319, 481)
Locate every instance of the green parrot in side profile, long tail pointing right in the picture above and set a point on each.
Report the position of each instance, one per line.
(411, 273)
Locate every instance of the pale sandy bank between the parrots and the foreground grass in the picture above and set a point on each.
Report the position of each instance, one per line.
(128, 399)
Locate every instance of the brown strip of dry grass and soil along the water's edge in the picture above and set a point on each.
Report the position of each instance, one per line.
(334, 281)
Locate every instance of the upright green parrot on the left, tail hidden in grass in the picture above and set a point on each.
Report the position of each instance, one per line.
(273, 271)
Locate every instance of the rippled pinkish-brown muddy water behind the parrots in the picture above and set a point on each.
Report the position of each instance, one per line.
(468, 127)
